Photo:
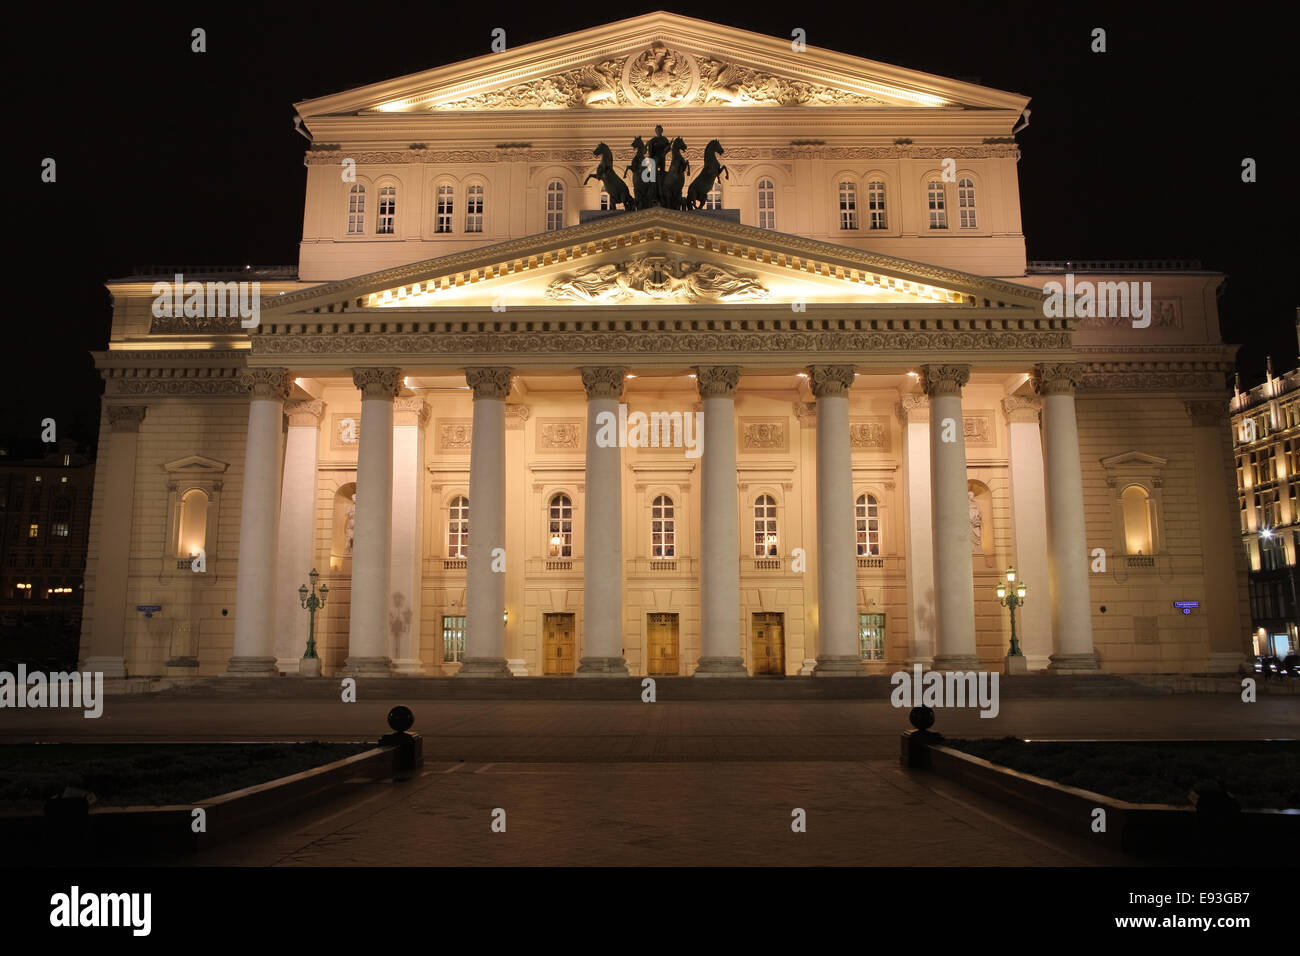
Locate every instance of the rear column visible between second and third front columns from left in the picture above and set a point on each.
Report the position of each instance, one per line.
(410, 417)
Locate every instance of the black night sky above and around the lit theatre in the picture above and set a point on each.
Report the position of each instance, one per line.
(166, 157)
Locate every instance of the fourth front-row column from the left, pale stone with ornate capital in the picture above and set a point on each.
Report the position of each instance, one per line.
(603, 538)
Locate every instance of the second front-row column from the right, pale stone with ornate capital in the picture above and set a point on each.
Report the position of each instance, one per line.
(955, 579)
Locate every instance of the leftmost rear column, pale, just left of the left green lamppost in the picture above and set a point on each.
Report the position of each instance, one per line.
(297, 531)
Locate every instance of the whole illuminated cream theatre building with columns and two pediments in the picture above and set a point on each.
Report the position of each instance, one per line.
(804, 429)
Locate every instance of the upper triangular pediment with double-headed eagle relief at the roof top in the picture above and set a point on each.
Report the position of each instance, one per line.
(658, 62)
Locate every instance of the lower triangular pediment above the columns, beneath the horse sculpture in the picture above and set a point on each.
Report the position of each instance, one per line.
(656, 258)
